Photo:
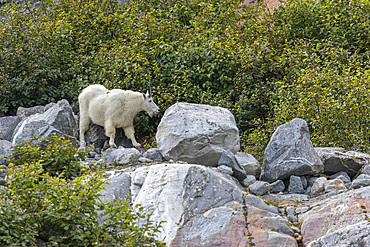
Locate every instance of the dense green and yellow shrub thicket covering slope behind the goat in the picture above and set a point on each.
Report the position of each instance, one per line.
(306, 59)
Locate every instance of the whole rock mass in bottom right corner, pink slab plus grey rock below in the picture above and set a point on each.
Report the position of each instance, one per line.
(326, 219)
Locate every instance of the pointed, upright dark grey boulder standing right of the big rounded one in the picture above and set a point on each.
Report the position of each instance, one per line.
(290, 152)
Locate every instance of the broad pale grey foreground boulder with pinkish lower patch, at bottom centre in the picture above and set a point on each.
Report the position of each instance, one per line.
(200, 206)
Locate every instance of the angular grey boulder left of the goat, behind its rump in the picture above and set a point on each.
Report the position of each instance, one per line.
(57, 119)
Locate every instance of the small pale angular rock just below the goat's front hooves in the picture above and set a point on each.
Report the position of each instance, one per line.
(122, 156)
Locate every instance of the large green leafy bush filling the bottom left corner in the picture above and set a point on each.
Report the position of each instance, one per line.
(37, 209)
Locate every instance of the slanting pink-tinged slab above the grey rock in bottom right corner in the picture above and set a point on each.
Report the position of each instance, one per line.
(334, 213)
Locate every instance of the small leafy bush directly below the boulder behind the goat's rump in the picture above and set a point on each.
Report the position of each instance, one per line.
(56, 155)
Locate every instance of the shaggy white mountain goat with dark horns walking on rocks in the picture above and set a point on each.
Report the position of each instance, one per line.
(113, 109)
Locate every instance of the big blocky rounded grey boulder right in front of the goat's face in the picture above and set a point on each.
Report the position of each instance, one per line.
(197, 134)
